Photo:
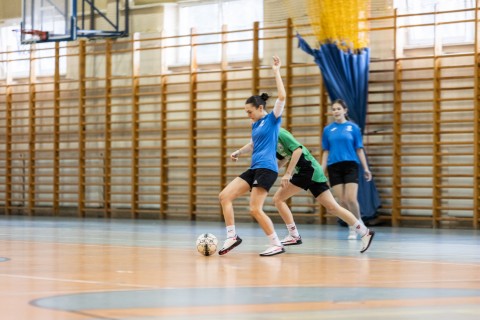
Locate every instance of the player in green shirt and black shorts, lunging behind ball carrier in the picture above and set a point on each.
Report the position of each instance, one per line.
(304, 172)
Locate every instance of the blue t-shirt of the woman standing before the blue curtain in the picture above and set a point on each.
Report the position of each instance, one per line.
(342, 141)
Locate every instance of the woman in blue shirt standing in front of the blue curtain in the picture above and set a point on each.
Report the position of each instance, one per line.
(342, 153)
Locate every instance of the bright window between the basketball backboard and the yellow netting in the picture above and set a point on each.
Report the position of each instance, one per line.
(210, 17)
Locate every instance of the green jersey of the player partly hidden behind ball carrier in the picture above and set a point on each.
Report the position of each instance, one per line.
(287, 144)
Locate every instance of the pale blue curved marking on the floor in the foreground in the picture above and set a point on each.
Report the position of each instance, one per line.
(197, 297)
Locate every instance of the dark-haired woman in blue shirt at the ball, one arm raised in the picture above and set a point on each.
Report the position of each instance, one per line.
(263, 170)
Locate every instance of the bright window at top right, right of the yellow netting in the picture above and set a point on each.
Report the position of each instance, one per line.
(452, 33)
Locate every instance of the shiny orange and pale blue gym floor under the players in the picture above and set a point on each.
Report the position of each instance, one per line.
(67, 268)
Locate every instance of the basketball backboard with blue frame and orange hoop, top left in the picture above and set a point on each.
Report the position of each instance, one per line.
(65, 20)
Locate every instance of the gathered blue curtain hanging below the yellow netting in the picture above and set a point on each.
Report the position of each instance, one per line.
(345, 75)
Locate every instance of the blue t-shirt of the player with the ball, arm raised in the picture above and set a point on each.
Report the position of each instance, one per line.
(264, 138)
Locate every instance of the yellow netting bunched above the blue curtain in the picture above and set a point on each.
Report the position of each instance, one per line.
(341, 21)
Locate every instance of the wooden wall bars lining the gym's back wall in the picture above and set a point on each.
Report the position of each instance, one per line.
(126, 131)
